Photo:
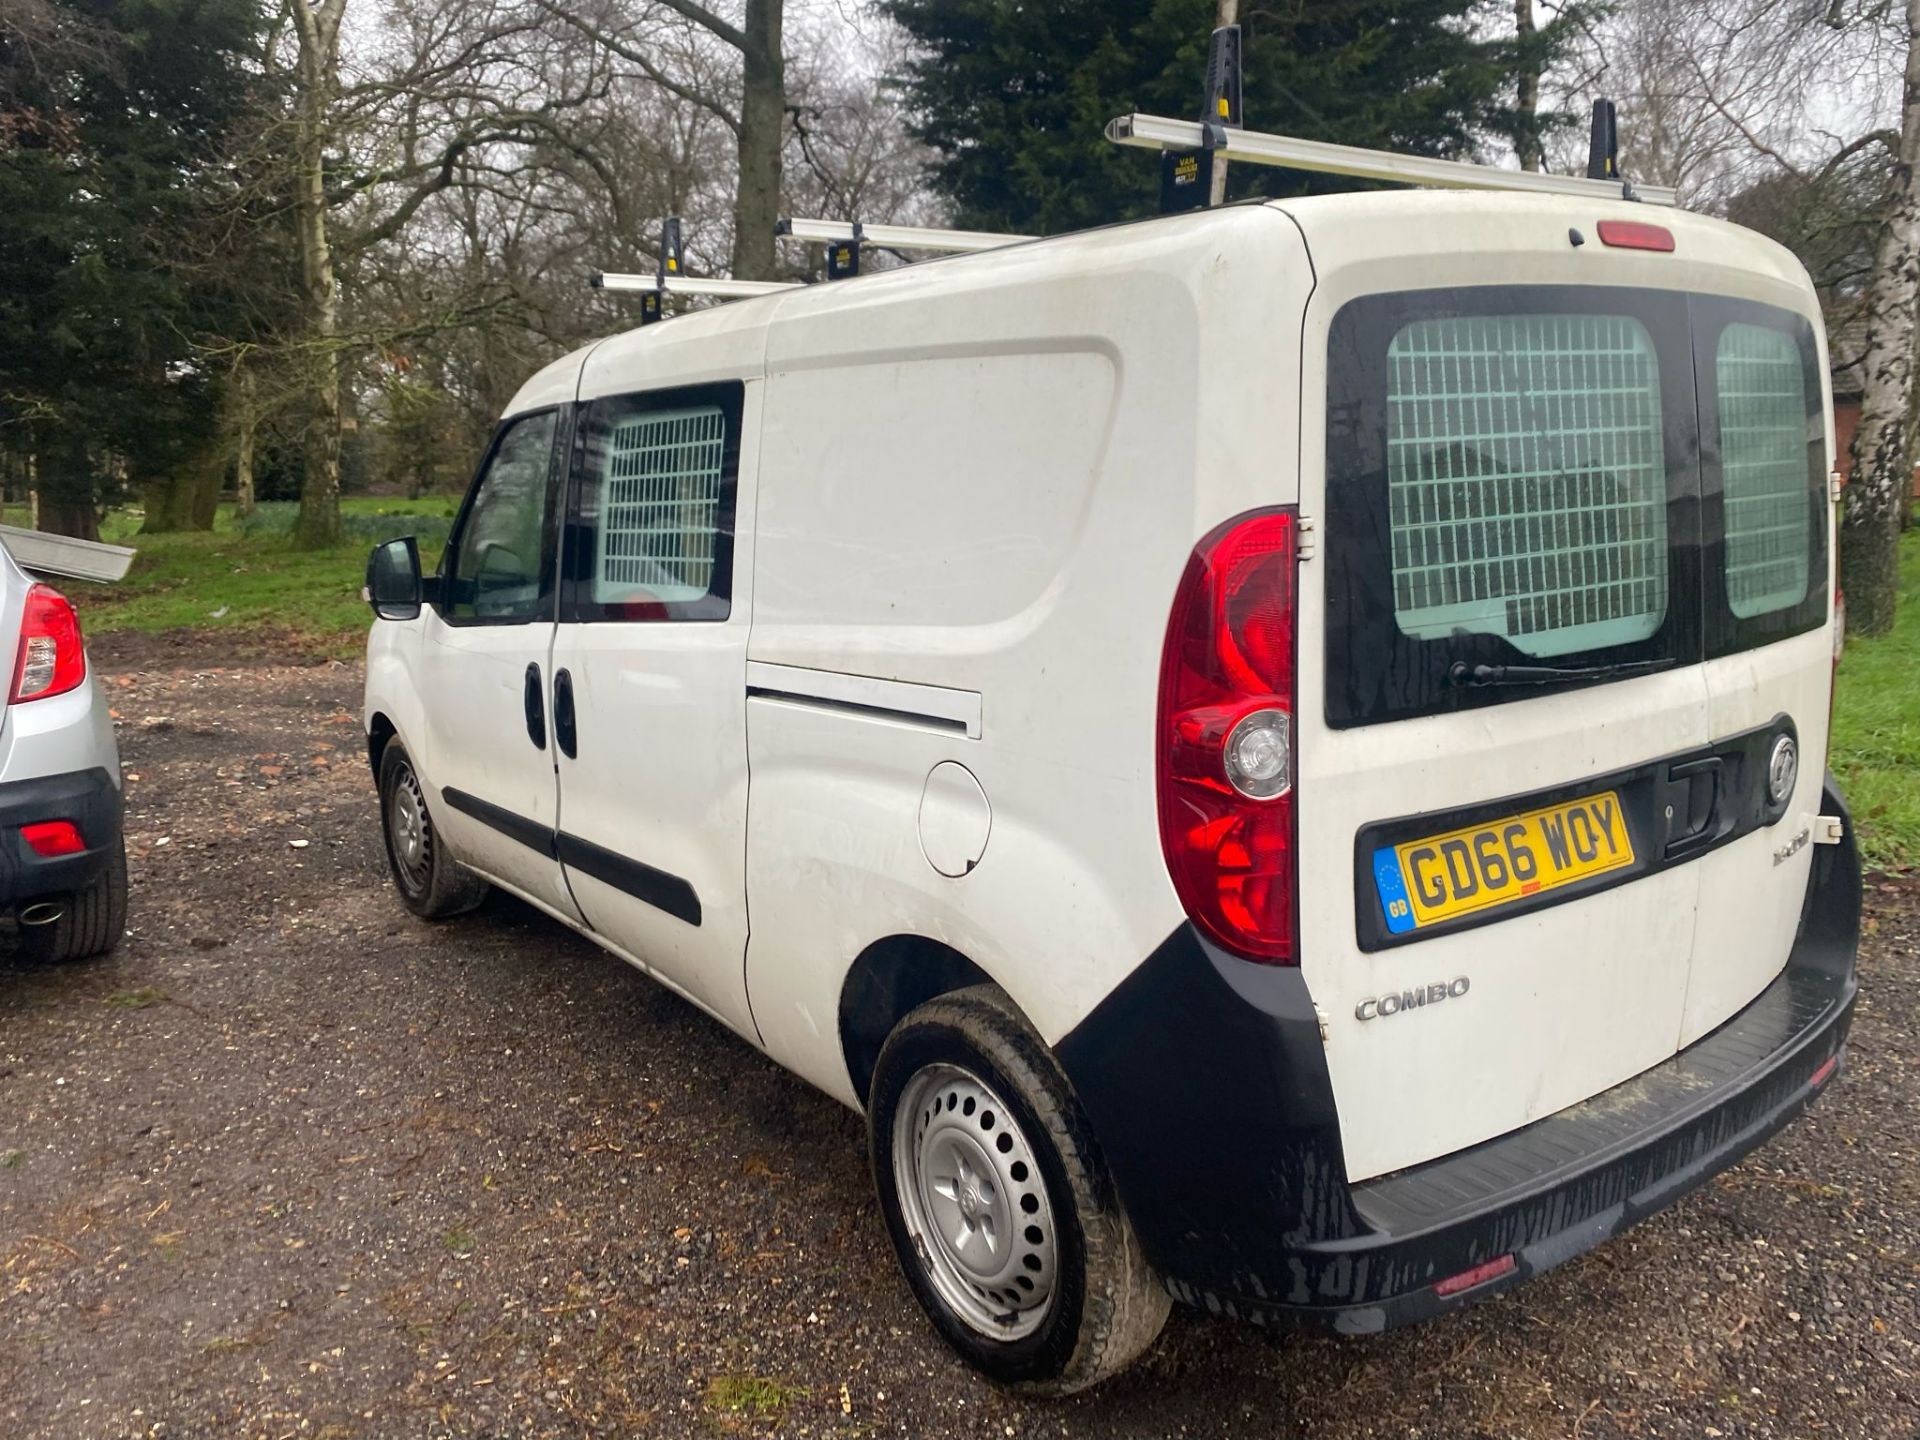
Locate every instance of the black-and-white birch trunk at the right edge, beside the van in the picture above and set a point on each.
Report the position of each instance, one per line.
(1883, 443)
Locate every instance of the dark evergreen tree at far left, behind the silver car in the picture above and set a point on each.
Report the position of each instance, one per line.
(110, 124)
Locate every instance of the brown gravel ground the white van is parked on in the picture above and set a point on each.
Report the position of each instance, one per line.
(293, 1164)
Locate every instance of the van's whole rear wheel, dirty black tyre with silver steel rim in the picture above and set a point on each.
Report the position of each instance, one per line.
(999, 1205)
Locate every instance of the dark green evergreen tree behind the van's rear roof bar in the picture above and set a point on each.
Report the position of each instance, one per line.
(1017, 97)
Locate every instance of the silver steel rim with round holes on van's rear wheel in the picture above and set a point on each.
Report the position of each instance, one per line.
(974, 1203)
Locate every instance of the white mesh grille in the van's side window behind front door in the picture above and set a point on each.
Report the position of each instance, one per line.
(660, 506)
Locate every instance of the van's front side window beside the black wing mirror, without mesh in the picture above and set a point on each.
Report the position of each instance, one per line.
(498, 562)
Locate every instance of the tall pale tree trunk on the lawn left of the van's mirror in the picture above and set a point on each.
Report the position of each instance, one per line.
(318, 525)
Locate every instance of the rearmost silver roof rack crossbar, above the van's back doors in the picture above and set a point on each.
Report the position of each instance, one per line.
(1287, 153)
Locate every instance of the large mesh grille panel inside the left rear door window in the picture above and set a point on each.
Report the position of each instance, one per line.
(1527, 481)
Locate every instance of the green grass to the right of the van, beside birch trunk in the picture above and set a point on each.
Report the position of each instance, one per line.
(1877, 729)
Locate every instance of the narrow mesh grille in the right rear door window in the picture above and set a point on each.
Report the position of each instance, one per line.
(1764, 468)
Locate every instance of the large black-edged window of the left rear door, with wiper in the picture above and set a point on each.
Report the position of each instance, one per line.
(1512, 479)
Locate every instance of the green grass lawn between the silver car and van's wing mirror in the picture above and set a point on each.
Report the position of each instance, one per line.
(249, 579)
